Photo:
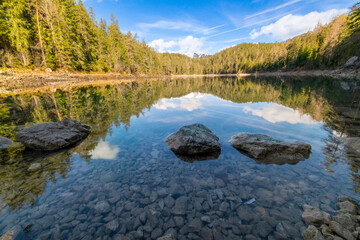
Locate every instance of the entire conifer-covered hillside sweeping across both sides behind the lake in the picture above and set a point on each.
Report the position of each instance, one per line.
(65, 35)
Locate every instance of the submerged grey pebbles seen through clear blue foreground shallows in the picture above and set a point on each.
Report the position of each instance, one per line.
(156, 194)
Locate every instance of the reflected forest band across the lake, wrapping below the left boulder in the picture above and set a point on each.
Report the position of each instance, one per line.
(113, 105)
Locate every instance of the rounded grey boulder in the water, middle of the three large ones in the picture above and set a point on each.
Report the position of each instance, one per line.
(195, 139)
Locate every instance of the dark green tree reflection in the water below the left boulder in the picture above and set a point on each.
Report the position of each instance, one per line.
(20, 184)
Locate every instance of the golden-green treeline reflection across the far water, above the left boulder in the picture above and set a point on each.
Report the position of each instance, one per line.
(116, 104)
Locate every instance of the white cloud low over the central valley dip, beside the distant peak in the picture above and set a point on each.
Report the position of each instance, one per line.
(188, 45)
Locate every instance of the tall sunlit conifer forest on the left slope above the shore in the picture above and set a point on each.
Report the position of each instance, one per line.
(64, 35)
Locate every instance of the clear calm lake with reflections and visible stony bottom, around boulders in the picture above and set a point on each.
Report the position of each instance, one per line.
(123, 182)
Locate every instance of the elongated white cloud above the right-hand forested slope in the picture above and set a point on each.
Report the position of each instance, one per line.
(293, 25)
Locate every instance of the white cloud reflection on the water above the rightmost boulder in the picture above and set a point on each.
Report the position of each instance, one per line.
(278, 113)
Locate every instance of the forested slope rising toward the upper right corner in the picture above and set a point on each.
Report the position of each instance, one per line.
(323, 48)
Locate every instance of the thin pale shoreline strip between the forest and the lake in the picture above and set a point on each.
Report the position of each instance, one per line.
(12, 82)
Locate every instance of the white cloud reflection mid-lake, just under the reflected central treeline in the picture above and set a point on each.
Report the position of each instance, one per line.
(189, 102)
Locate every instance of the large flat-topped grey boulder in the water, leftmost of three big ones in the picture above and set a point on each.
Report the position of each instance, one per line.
(53, 136)
